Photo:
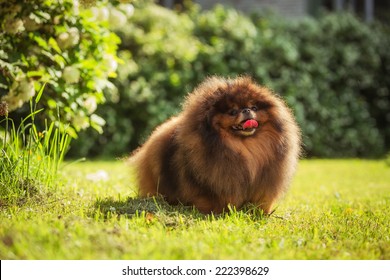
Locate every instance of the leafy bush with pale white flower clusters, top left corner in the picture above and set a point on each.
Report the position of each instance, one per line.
(57, 43)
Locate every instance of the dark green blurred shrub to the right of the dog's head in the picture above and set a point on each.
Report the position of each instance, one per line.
(331, 62)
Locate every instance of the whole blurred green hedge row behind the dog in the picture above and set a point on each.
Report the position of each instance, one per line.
(333, 71)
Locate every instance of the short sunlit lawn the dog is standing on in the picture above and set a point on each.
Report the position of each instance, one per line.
(335, 209)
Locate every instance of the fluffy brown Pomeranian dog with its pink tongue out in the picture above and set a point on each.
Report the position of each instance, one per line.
(234, 143)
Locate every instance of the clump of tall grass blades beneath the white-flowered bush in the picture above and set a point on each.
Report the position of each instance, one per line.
(29, 156)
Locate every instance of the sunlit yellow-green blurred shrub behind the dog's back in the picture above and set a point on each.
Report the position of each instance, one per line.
(159, 54)
